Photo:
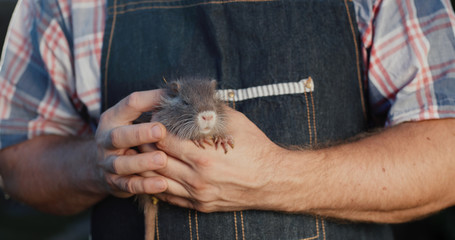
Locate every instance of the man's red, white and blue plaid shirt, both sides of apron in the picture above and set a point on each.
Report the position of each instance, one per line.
(50, 69)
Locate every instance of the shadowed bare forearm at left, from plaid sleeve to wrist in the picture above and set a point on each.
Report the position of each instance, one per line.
(54, 174)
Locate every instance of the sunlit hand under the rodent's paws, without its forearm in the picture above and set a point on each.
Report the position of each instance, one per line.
(210, 180)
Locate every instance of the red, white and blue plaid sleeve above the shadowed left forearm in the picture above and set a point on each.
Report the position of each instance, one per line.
(37, 89)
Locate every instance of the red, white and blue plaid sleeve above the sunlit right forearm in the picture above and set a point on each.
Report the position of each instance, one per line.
(409, 54)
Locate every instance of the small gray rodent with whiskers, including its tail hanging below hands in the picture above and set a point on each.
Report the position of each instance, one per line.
(190, 110)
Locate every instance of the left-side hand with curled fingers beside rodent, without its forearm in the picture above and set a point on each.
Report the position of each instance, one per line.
(120, 165)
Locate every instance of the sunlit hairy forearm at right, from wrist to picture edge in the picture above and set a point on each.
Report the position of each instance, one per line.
(394, 176)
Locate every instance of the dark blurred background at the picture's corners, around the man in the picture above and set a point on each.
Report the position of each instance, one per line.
(18, 221)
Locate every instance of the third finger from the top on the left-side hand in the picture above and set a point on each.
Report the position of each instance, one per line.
(134, 164)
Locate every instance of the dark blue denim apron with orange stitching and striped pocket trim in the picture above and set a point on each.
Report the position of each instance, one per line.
(291, 66)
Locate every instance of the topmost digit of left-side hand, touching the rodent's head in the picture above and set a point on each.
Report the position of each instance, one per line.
(131, 107)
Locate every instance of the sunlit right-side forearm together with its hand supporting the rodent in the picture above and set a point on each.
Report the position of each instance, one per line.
(396, 175)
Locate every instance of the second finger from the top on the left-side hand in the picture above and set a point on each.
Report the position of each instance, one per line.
(134, 135)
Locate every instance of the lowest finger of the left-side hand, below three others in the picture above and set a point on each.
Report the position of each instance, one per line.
(134, 184)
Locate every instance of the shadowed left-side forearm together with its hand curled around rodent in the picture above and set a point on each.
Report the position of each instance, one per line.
(66, 174)
